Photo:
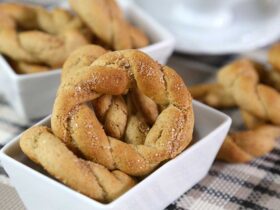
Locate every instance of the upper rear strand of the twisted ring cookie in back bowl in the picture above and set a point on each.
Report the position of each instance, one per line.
(34, 17)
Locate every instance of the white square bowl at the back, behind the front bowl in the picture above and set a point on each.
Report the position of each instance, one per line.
(32, 95)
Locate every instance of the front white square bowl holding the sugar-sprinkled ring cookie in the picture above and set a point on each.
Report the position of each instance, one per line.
(40, 191)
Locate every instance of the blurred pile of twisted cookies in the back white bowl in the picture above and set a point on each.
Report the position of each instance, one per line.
(34, 39)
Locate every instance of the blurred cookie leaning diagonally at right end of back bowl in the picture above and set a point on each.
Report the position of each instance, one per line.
(106, 21)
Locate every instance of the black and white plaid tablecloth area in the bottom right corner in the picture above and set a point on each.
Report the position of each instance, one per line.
(237, 186)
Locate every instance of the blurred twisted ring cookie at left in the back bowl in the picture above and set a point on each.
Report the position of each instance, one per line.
(60, 37)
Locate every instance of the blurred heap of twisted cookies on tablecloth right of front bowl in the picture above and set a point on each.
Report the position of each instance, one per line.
(239, 85)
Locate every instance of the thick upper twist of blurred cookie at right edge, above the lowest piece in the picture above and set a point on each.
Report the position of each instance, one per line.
(241, 79)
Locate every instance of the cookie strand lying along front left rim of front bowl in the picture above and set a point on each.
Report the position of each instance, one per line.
(86, 177)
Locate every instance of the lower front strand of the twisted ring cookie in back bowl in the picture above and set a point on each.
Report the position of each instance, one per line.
(31, 46)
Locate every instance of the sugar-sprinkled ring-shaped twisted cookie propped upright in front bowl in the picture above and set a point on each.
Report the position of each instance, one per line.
(116, 73)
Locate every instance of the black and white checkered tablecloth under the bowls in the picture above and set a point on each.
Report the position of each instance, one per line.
(255, 185)
